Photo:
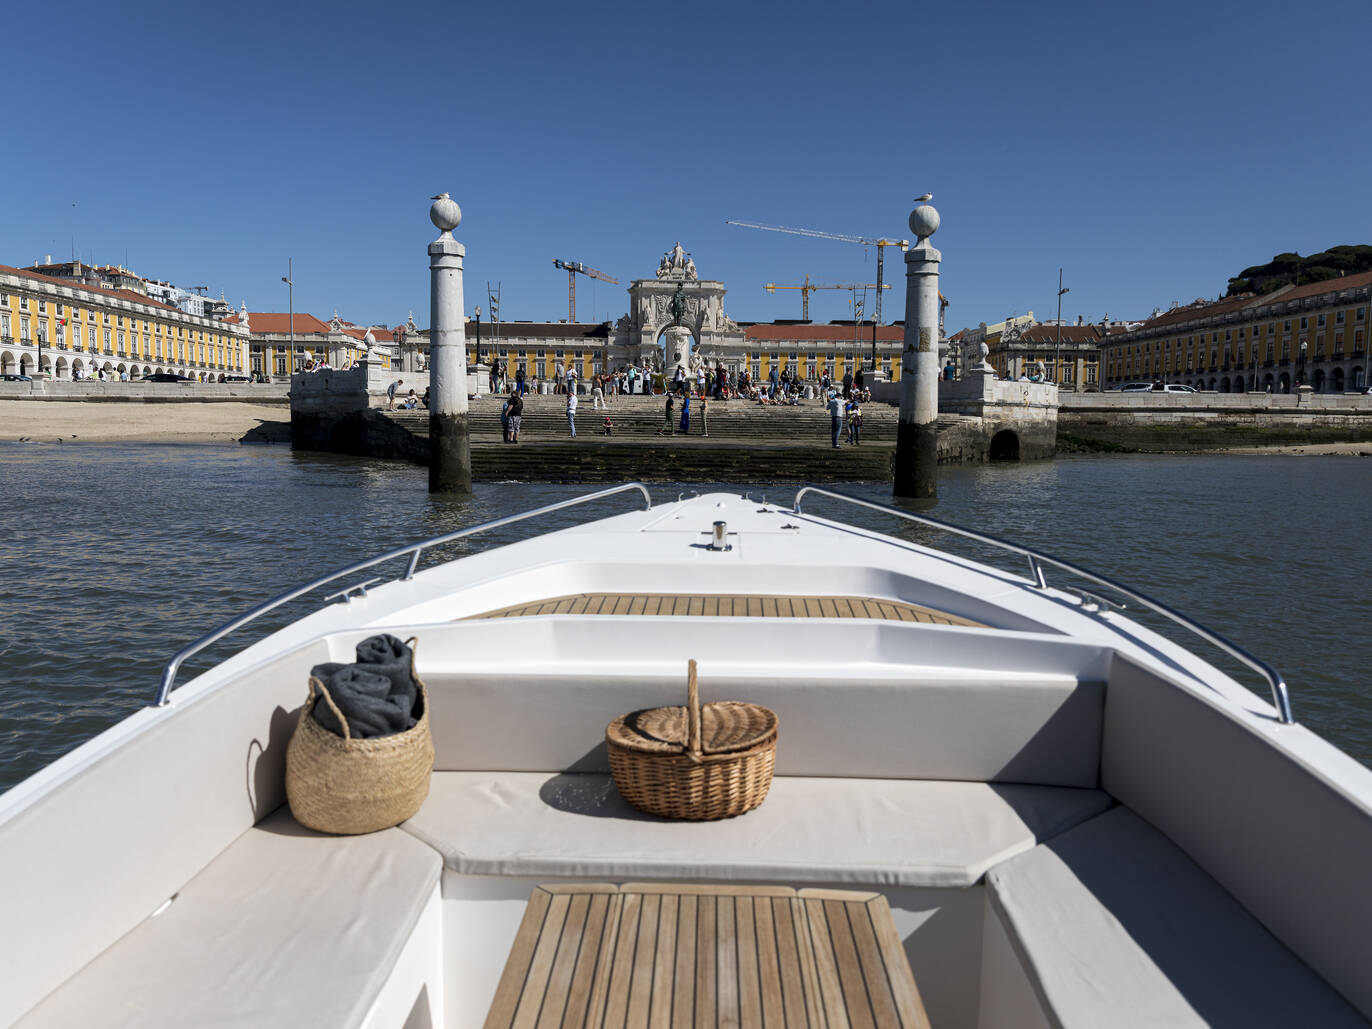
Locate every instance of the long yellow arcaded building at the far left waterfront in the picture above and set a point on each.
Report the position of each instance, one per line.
(73, 331)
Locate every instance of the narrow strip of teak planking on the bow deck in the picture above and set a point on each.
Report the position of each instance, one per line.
(729, 606)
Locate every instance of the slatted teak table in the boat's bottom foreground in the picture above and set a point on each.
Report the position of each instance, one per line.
(706, 956)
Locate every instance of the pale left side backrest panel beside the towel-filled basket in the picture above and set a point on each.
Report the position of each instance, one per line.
(88, 861)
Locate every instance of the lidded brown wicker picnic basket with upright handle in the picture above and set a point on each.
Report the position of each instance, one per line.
(696, 762)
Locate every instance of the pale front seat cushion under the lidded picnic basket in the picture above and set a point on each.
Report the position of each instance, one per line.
(875, 832)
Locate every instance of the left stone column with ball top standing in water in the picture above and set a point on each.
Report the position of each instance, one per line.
(451, 453)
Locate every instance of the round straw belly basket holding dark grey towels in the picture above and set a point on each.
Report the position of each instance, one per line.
(351, 787)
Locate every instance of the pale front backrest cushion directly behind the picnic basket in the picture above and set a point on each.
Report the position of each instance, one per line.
(1045, 732)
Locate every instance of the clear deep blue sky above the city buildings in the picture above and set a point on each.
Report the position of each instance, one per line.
(1152, 150)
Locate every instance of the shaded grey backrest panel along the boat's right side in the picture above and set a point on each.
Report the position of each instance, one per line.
(1275, 832)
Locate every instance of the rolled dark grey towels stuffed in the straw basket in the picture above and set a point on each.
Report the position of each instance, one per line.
(377, 695)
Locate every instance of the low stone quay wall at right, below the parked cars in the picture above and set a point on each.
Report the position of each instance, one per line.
(1150, 422)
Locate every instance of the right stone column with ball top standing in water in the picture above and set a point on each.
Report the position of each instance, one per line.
(917, 433)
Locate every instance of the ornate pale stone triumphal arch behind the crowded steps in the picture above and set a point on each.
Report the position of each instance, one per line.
(678, 318)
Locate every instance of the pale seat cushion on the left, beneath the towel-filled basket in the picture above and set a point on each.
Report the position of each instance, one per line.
(286, 928)
